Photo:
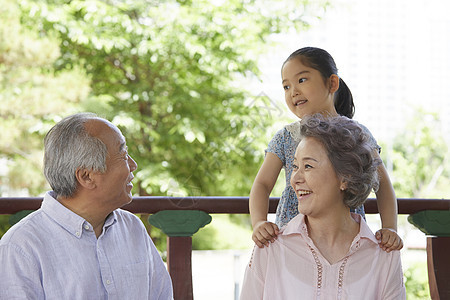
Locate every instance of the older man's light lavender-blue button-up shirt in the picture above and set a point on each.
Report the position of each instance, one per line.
(54, 254)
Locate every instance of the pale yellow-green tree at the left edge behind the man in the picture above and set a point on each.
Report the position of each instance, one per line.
(31, 95)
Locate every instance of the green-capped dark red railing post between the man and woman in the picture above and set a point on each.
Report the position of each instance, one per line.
(179, 226)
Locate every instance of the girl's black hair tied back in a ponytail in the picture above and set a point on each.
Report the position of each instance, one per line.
(323, 62)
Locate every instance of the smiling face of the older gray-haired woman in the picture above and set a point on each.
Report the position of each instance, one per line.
(314, 180)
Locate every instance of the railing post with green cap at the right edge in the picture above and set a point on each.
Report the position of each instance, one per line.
(436, 224)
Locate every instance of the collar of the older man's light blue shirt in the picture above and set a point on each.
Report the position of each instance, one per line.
(67, 219)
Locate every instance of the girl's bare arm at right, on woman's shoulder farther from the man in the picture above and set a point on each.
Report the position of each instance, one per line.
(387, 207)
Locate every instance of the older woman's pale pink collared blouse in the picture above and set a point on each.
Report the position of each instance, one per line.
(293, 268)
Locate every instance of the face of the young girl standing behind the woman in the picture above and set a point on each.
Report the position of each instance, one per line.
(306, 93)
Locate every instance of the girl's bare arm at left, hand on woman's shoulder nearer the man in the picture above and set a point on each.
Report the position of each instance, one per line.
(264, 231)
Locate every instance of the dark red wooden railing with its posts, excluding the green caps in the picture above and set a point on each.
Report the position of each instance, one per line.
(178, 246)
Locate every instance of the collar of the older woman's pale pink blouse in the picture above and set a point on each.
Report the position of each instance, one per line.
(298, 226)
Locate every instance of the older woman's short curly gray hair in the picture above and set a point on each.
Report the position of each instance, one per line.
(350, 151)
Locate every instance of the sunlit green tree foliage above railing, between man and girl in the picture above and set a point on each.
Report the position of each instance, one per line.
(169, 73)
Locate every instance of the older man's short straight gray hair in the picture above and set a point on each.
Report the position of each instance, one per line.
(68, 147)
